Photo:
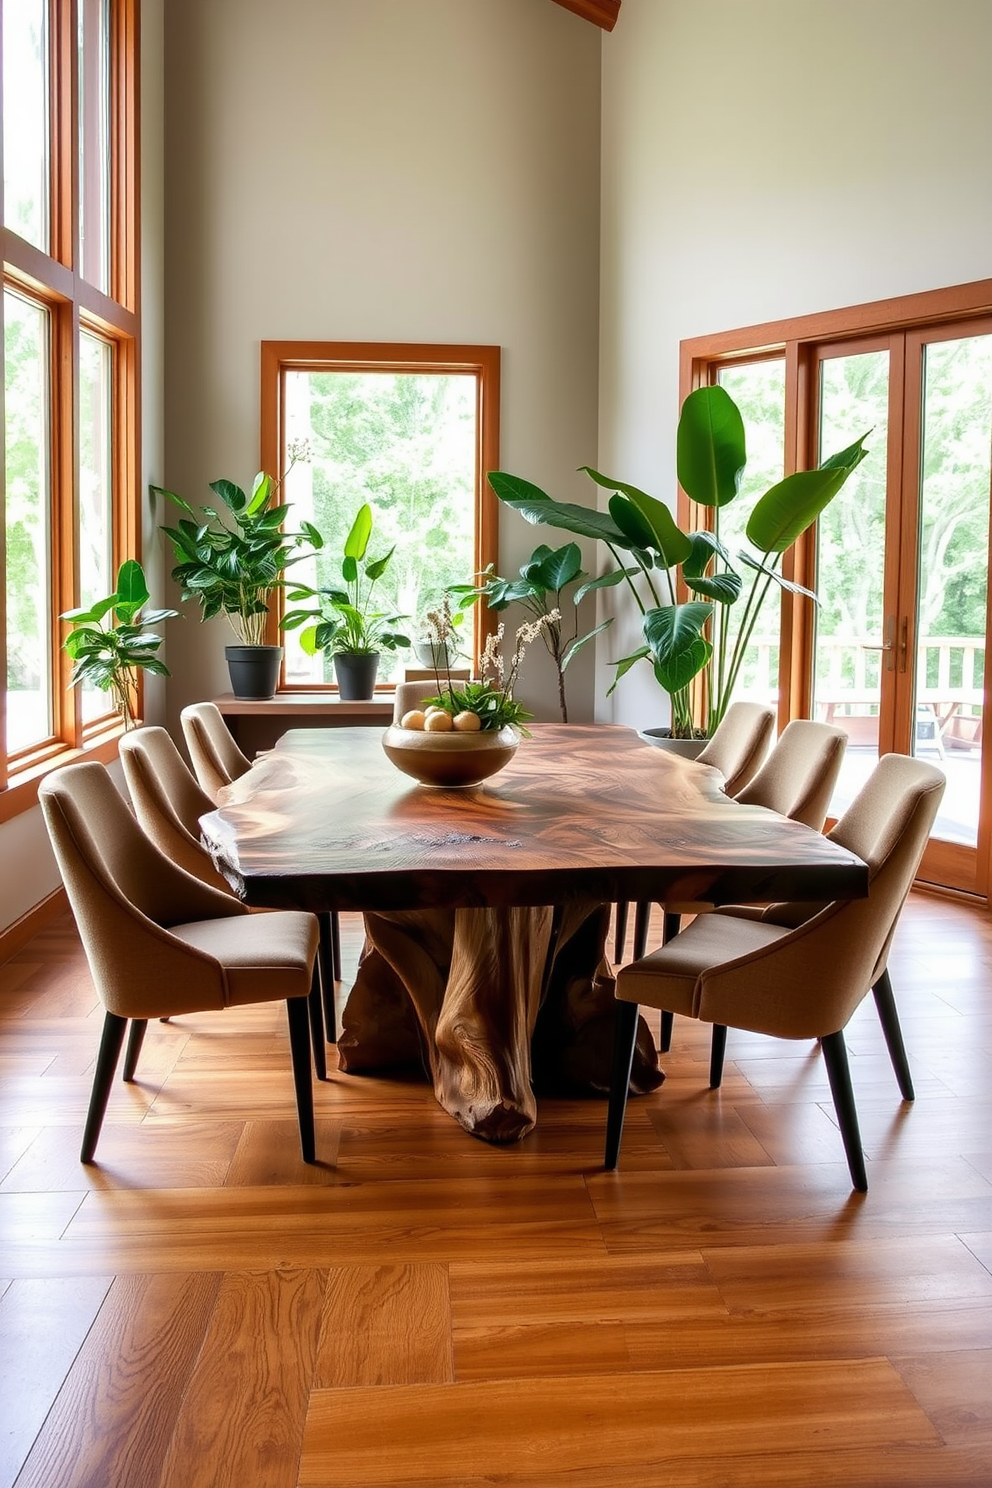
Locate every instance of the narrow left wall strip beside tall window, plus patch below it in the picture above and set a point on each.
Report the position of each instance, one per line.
(29, 870)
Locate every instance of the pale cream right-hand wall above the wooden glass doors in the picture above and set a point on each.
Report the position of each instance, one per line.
(771, 158)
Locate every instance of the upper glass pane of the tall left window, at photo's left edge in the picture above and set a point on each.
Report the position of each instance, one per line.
(26, 121)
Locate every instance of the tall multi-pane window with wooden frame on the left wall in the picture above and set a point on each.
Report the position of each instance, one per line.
(71, 336)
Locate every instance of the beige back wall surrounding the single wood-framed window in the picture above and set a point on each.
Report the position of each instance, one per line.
(380, 172)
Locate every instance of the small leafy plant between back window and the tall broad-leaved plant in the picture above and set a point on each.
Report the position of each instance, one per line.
(545, 578)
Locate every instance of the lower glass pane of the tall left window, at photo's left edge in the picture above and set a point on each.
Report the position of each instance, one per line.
(26, 343)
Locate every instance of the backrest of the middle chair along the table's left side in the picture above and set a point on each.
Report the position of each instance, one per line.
(167, 800)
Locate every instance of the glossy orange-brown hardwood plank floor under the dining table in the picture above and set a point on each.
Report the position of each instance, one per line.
(200, 1309)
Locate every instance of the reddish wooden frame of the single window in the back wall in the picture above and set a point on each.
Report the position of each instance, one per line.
(387, 356)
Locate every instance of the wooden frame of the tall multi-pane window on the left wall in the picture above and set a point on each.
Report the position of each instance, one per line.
(54, 282)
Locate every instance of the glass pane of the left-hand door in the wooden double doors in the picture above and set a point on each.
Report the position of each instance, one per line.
(850, 548)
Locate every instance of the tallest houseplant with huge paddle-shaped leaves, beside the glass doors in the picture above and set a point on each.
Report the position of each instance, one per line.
(685, 639)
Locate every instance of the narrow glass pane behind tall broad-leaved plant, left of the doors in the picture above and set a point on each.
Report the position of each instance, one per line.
(759, 391)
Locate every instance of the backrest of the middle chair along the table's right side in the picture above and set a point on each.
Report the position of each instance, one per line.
(799, 776)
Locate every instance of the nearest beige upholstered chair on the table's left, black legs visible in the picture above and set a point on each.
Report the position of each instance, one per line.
(163, 943)
